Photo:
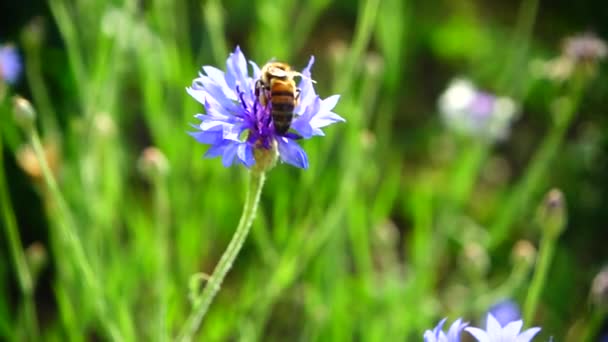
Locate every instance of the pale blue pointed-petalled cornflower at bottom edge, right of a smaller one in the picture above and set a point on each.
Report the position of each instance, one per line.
(496, 333)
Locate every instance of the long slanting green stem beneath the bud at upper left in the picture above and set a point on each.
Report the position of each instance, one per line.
(67, 226)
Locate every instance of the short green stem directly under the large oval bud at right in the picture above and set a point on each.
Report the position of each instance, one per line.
(547, 249)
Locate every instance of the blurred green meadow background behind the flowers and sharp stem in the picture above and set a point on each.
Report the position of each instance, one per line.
(398, 223)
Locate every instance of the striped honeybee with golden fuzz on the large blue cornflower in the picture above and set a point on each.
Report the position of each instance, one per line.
(277, 86)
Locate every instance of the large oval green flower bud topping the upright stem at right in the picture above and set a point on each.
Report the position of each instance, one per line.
(552, 214)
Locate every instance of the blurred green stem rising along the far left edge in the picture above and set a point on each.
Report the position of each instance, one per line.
(23, 272)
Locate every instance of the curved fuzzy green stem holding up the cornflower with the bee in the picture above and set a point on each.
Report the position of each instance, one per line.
(202, 303)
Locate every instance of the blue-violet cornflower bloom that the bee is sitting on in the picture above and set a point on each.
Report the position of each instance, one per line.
(237, 125)
